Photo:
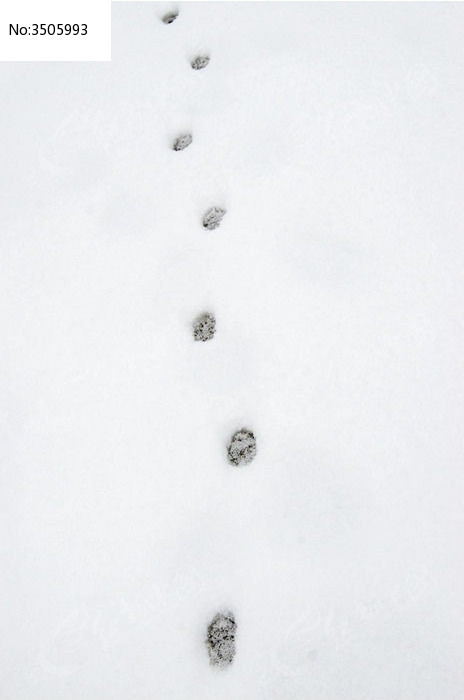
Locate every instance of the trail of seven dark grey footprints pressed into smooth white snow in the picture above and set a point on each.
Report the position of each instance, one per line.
(220, 637)
